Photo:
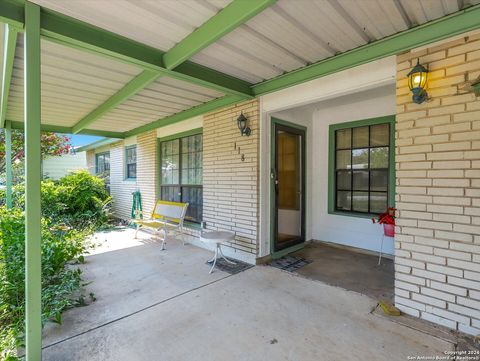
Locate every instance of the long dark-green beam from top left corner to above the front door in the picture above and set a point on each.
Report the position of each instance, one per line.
(77, 34)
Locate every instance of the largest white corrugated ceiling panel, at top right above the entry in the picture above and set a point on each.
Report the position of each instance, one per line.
(291, 34)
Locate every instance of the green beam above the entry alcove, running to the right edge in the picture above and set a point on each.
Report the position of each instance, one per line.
(455, 24)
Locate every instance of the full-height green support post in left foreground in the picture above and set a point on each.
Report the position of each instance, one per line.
(33, 260)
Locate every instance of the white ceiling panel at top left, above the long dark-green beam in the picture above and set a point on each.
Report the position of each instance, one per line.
(160, 24)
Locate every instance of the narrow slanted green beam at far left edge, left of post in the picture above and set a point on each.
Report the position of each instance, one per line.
(8, 57)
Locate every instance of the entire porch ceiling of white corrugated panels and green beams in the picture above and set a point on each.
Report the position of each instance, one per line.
(135, 86)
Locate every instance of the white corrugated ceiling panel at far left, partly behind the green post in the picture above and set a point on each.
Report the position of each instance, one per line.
(73, 83)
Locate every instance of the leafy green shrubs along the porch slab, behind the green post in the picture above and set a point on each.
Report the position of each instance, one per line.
(73, 207)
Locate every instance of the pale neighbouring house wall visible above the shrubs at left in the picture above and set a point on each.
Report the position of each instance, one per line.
(56, 167)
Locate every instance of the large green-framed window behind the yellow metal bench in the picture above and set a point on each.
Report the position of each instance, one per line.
(181, 178)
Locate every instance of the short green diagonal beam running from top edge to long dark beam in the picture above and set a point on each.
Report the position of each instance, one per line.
(226, 20)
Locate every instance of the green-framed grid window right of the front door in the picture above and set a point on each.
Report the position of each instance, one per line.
(362, 166)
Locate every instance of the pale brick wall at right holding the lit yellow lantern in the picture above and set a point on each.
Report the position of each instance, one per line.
(437, 263)
